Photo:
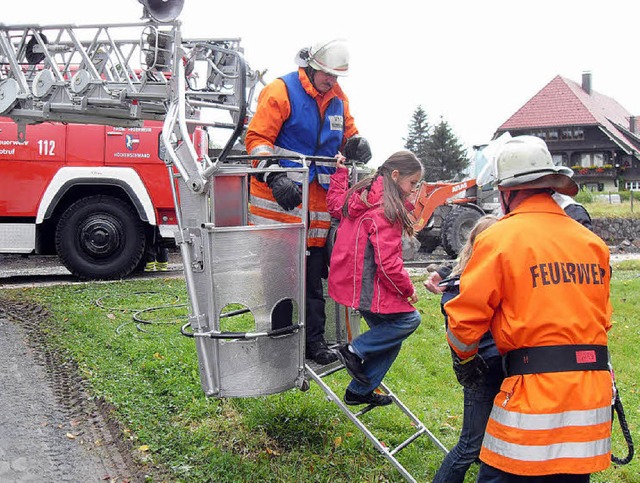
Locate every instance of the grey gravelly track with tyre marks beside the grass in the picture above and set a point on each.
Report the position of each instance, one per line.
(49, 429)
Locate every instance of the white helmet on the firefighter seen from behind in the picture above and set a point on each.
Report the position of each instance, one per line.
(524, 162)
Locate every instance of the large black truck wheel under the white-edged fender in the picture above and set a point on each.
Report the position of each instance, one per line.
(100, 237)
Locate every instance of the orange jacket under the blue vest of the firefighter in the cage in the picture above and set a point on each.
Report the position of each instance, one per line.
(272, 111)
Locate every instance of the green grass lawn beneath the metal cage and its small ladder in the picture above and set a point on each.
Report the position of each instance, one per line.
(149, 373)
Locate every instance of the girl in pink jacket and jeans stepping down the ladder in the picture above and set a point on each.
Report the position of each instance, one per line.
(367, 271)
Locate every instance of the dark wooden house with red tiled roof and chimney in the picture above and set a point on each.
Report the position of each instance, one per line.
(585, 130)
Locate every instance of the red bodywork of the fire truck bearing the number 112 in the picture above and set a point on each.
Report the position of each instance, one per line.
(28, 167)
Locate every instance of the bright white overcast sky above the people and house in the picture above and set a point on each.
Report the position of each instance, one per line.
(472, 62)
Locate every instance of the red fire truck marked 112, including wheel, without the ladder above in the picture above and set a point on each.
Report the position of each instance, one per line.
(97, 196)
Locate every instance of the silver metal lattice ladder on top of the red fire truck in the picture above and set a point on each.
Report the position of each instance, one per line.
(121, 75)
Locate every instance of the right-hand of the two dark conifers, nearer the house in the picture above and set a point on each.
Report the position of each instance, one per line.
(446, 157)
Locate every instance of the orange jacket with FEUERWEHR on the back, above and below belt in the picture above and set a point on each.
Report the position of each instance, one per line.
(538, 278)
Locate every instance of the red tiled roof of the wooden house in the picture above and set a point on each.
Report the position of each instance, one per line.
(563, 102)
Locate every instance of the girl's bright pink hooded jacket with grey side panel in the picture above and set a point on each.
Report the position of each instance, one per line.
(367, 271)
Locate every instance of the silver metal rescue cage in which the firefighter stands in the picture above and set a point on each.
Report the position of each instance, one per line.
(240, 268)
